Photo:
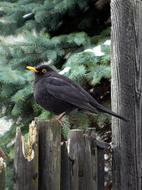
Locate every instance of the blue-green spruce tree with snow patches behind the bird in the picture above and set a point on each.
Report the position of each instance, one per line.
(70, 35)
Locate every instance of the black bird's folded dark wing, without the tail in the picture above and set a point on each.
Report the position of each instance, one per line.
(66, 90)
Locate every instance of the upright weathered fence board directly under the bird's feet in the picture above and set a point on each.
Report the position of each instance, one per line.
(49, 155)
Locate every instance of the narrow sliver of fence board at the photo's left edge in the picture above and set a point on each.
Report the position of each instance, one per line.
(2, 174)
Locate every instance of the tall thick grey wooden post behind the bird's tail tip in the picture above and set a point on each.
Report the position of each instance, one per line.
(126, 61)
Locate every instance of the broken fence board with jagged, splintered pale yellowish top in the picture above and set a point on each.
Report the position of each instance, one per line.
(26, 161)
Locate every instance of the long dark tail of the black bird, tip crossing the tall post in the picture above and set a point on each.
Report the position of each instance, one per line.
(106, 110)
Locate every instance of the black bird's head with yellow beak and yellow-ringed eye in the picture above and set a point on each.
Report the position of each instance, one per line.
(40, 70)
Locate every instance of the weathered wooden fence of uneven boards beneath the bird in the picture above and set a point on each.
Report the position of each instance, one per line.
(46, 163)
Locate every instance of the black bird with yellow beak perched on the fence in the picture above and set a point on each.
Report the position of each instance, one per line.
(58, 94)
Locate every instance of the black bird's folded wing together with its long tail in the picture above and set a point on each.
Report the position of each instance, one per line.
(64, 89)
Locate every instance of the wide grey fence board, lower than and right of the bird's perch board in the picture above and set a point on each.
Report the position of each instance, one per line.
(80, 155)
